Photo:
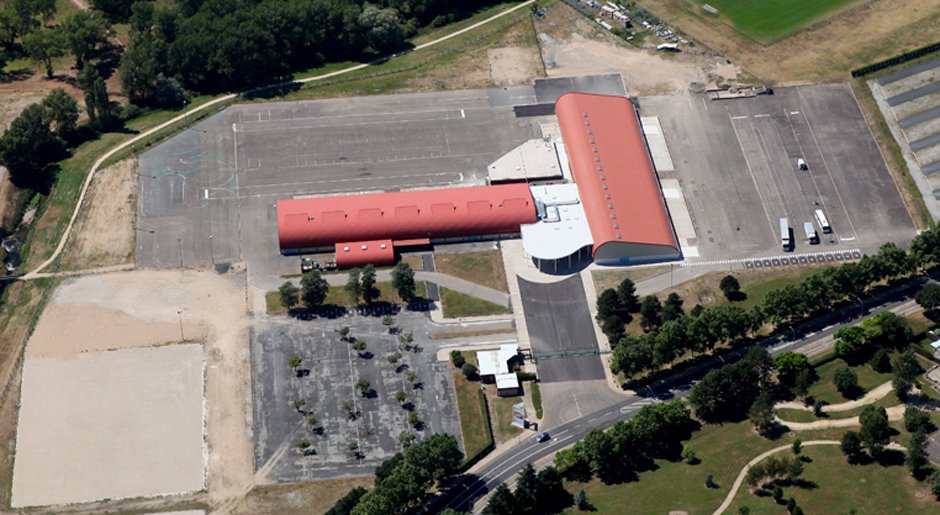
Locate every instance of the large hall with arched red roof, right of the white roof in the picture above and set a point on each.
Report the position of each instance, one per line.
(616, 181)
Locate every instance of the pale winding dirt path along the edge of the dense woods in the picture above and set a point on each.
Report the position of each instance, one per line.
(35, 274)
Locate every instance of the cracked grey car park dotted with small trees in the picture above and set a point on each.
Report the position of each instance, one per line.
(327, 380)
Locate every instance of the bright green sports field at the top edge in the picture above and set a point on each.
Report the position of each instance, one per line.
(769, 20)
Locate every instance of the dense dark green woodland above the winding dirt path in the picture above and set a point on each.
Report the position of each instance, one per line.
(215, 45)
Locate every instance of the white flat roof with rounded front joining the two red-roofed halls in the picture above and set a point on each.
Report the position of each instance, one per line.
(562, 229)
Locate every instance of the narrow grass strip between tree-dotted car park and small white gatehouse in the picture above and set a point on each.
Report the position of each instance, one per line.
(471, 410)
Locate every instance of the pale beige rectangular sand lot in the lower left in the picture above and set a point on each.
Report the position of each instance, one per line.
(110, 425)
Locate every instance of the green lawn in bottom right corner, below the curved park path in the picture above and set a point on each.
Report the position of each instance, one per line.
(834, 486)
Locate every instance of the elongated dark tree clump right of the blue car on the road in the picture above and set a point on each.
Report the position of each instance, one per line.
(629, 447)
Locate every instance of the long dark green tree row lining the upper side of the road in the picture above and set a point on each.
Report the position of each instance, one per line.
(671, 334)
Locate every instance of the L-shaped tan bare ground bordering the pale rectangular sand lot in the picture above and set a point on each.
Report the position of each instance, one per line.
(147, 309)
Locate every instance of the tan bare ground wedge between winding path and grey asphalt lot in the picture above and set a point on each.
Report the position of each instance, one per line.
(104, 232)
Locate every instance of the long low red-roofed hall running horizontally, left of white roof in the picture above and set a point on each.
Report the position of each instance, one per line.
(315, 223)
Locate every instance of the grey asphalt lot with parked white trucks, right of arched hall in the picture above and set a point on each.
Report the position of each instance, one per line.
(736, 163)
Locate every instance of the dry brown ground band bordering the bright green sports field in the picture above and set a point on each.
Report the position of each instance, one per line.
(864, 33)
